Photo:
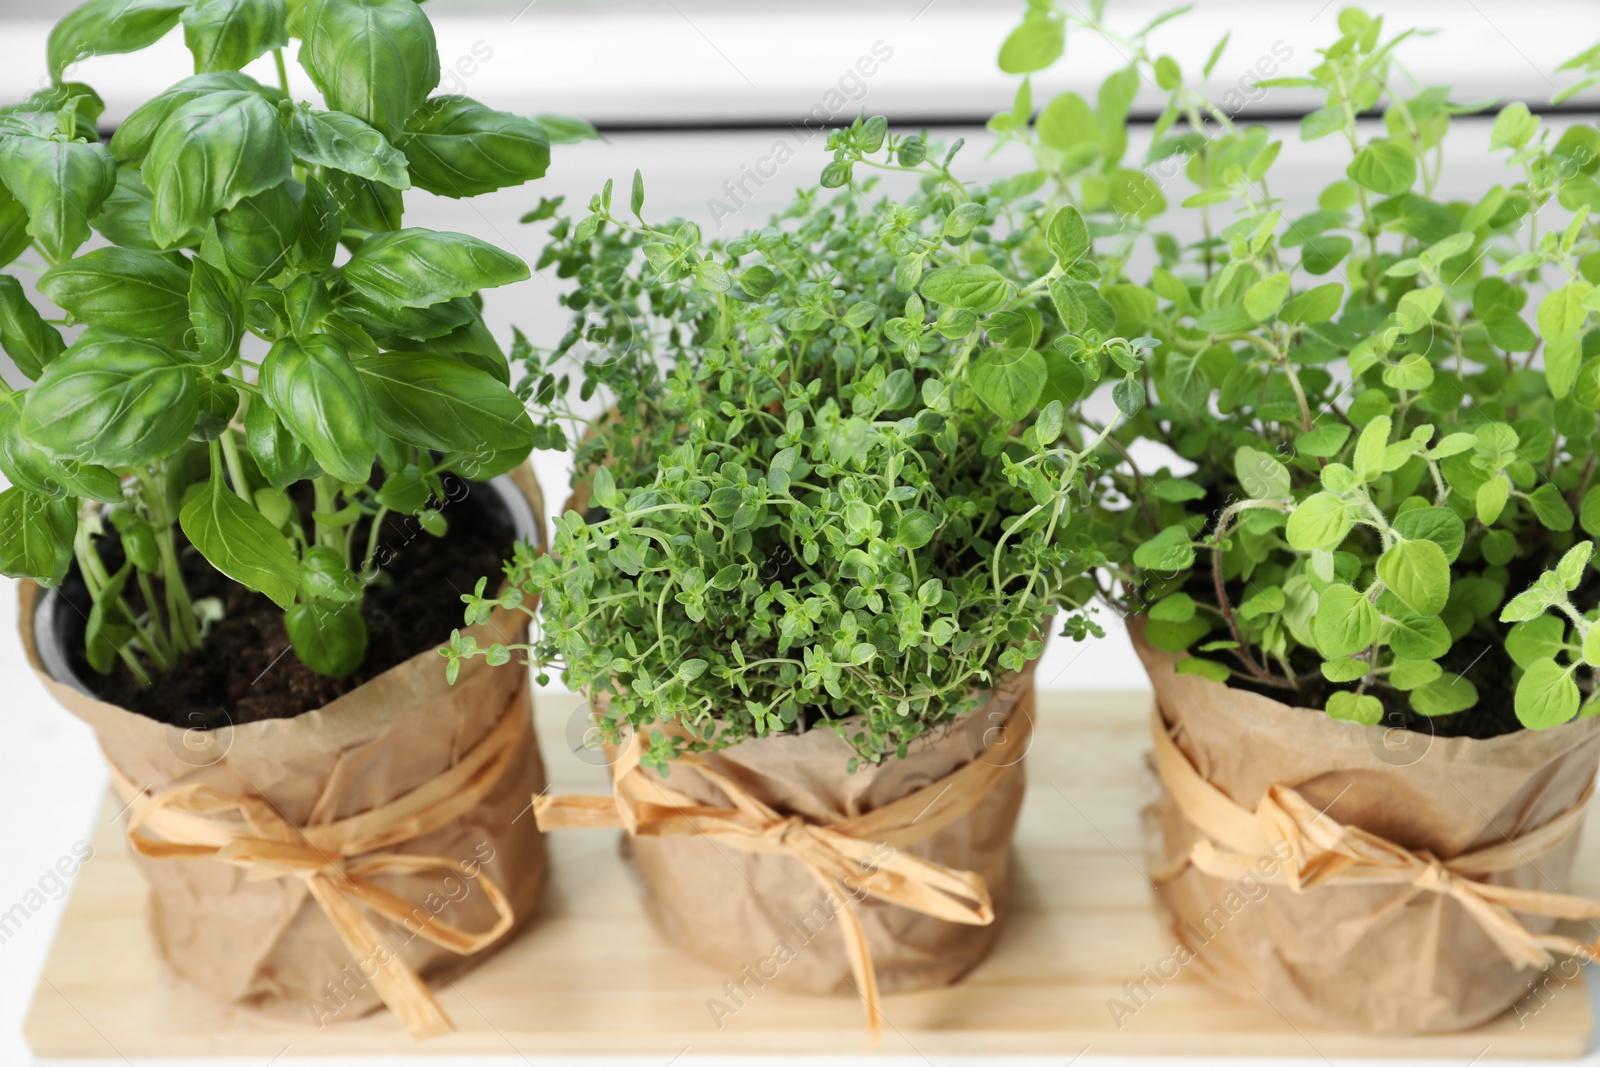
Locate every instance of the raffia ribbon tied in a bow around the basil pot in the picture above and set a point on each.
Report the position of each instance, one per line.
(338, 861)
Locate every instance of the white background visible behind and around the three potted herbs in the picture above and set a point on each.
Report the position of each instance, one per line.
(678, 63)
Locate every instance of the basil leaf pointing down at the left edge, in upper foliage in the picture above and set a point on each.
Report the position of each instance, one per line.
(62, 185)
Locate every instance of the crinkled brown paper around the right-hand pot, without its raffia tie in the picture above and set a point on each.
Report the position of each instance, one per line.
(1345, 957)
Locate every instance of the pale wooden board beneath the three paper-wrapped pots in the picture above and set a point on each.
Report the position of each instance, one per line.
(593, 977)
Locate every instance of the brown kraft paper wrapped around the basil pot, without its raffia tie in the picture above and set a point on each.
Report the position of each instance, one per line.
(268, 945)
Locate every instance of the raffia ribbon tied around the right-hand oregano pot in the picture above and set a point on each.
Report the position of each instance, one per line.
(1319, 850)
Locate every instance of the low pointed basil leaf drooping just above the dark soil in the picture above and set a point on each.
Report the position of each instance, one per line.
(241, 543)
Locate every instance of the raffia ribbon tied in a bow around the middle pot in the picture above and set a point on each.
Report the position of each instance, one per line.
(839, 853)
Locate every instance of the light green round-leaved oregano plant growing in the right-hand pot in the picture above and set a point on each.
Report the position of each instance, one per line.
(1380, 415)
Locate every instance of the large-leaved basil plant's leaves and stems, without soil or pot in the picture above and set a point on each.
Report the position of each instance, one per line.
(254, 354)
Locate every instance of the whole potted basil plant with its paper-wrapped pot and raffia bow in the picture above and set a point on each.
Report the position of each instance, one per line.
(258, 434)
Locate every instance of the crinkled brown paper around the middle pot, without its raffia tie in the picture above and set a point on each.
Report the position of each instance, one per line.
(732, 909)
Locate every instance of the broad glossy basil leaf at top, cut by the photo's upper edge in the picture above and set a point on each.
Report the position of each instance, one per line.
(375, 60)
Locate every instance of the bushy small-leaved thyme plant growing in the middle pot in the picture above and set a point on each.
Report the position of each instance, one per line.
(831, 473)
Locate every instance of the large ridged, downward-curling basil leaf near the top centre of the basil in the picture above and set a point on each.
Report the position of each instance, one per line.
(210, 154)
